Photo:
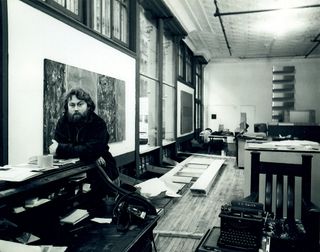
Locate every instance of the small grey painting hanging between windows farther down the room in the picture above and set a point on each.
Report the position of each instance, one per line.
(186, 112)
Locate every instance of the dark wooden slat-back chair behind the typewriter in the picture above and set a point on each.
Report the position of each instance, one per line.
(285, 174)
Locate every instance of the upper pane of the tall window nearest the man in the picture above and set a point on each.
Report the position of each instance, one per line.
(148, 46)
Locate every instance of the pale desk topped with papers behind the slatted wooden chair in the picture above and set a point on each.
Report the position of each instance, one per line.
(283, 154)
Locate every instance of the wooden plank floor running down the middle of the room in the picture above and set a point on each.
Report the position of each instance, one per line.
(183, 225)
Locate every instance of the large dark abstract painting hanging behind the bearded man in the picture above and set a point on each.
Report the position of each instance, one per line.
(108, 94)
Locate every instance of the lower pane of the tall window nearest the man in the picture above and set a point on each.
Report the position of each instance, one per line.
(148, 111)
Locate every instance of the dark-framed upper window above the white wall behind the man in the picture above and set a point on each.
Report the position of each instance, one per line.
(110, 18)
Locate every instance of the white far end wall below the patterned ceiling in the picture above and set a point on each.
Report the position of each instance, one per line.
(232, 87)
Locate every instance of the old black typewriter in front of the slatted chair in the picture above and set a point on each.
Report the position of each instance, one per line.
(241, 226)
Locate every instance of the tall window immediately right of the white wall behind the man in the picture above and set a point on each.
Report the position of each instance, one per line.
(149, 80)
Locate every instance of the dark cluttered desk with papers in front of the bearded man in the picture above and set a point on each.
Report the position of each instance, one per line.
(63, 188)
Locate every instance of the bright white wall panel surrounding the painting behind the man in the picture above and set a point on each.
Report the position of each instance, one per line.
(34, 36)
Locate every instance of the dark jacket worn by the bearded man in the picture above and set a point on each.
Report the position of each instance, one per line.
(86, 140)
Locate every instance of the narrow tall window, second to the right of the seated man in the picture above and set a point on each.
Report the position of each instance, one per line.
(169, 89)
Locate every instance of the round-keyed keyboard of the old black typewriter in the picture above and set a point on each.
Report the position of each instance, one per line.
(239, 239)
